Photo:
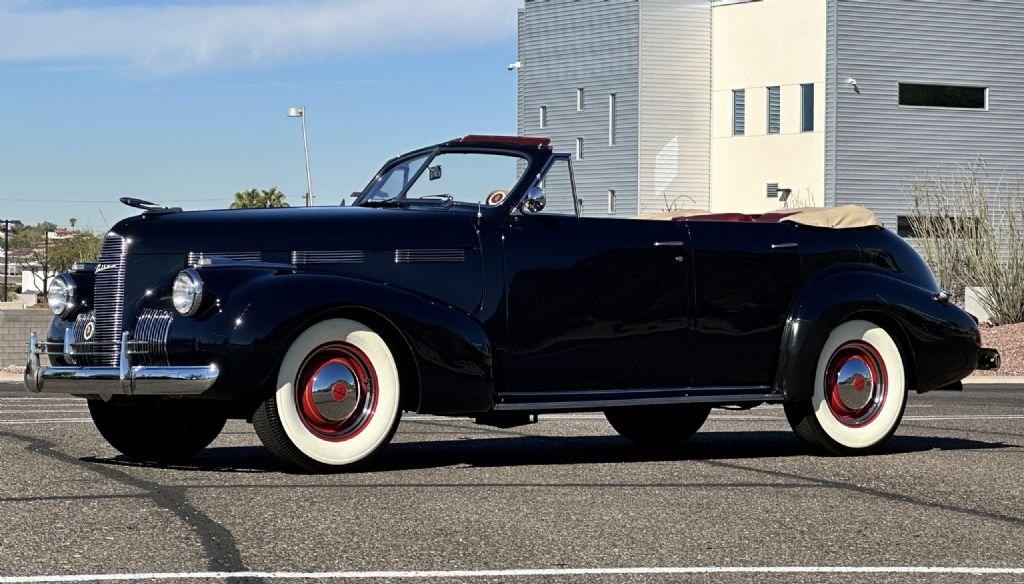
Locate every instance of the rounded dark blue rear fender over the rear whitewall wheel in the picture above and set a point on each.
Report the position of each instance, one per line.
(940, 342)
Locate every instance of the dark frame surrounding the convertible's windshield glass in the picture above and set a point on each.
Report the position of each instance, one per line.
(515, 192)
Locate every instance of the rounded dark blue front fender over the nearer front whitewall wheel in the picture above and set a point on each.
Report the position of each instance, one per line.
(259, 314)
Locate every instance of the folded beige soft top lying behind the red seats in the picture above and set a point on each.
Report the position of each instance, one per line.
(844, 218)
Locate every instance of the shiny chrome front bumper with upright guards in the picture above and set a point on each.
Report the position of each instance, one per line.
(121, 381)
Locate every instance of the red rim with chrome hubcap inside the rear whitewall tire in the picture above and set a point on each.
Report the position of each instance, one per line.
(857, 384)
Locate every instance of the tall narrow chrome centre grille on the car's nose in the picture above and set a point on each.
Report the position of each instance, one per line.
(109, 296)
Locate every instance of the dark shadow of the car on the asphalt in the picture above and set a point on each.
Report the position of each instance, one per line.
(527, 450)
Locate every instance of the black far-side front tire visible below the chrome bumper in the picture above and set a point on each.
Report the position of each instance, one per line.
(157, 431)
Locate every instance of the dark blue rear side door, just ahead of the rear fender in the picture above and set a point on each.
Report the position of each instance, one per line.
(747, 276)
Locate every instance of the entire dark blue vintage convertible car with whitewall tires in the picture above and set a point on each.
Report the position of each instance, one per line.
(463, 282)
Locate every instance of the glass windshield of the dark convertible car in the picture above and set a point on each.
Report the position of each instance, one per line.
(457, 178)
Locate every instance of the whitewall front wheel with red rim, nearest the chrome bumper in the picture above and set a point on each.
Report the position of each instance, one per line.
(337, 401)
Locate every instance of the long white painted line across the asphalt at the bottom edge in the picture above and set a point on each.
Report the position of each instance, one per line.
(472, 574)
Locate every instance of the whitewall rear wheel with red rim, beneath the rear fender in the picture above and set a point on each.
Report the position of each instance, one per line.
(860, 392)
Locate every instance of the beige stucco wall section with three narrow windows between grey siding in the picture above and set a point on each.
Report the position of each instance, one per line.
(756, 46)
